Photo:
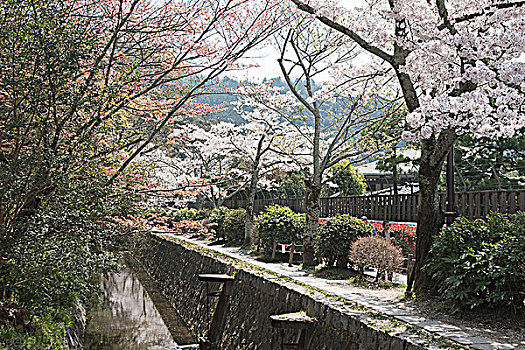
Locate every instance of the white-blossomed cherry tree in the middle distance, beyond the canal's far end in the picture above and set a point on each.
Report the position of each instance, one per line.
(227, 159)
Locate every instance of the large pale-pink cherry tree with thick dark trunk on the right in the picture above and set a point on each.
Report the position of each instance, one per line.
(457, 64)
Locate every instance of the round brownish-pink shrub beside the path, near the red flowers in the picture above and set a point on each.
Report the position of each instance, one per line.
(376, 252)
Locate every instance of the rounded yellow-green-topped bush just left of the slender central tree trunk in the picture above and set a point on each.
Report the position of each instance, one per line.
(280, 224)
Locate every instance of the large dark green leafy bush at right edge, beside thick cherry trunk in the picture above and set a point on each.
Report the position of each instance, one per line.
(481, 263)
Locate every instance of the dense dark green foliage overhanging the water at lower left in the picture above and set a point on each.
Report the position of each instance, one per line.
(53, 256)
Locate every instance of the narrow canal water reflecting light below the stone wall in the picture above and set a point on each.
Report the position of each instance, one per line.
(133, 315)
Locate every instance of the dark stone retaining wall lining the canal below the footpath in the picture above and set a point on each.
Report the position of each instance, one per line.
(257, 294)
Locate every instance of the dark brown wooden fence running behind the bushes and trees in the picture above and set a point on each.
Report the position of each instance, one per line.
(402, 207)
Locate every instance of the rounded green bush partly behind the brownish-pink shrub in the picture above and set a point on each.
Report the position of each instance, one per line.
(335, 237)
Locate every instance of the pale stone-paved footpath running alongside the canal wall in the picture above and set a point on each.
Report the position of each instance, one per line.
(451, 332)
